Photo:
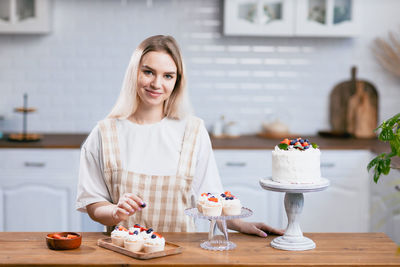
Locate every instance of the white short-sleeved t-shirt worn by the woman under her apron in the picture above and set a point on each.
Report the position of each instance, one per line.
(151, 149)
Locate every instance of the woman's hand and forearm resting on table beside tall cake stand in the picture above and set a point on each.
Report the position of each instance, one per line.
(254, 228)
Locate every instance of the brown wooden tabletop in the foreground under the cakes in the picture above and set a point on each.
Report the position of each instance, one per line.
(333, 249)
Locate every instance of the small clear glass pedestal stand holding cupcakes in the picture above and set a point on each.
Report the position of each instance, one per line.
(218, 242)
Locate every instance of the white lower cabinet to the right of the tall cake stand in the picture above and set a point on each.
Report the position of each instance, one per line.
(345, 205)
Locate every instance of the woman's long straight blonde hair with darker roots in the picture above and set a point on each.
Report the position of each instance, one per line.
(177, 105)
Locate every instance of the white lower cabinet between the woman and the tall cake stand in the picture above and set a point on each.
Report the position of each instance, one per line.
(240, 172)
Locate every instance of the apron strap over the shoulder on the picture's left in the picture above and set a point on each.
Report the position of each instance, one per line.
(110, 144)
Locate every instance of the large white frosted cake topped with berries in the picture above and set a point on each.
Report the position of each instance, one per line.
(296, 161)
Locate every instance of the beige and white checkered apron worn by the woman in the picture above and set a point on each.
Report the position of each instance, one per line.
(166, 196)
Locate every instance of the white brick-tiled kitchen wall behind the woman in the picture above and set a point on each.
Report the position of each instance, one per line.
(73, 75)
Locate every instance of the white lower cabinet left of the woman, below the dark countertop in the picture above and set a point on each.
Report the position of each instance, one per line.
(38, 191)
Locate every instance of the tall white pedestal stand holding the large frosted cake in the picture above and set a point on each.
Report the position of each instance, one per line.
(293, 238)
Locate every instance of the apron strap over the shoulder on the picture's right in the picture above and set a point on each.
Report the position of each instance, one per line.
(187, 159)
